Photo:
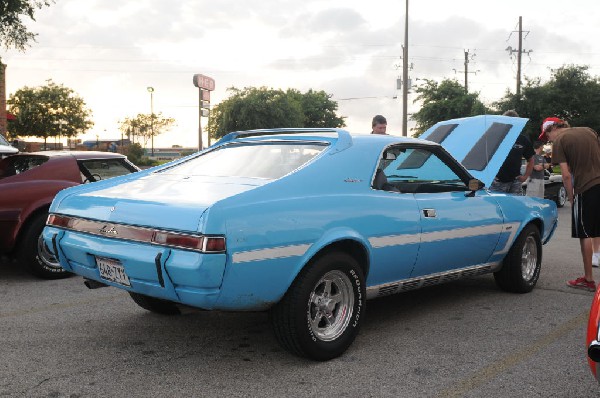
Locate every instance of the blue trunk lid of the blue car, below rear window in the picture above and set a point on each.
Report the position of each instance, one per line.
(156, 200)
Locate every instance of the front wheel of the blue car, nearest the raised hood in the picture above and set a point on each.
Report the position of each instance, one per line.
(521, 266)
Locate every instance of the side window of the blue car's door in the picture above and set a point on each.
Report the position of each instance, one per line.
(417, 170)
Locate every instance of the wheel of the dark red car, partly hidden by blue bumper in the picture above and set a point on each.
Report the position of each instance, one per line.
(34, 254)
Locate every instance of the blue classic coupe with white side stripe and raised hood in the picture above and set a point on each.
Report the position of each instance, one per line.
(308, 224)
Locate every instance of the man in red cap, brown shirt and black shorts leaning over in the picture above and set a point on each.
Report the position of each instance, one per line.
(577, 151)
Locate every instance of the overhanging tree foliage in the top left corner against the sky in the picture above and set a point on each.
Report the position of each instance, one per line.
(13, 32)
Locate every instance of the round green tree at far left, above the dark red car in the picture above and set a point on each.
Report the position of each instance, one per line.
(48, 111)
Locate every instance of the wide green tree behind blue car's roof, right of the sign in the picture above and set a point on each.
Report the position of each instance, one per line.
(255, 108)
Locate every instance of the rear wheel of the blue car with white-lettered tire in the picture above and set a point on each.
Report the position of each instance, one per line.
(308, 322)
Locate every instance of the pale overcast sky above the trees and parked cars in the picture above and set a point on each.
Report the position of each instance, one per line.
(110, 51)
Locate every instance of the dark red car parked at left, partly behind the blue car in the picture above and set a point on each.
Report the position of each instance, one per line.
(28, 183)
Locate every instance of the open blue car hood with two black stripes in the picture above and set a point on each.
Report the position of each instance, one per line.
(480, 143)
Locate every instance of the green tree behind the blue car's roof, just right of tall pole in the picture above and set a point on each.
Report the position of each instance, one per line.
(443, 101)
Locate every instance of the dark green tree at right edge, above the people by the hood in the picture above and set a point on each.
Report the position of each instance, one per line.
(570, 94)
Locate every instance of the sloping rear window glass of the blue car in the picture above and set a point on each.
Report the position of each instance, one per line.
(255, 160)
